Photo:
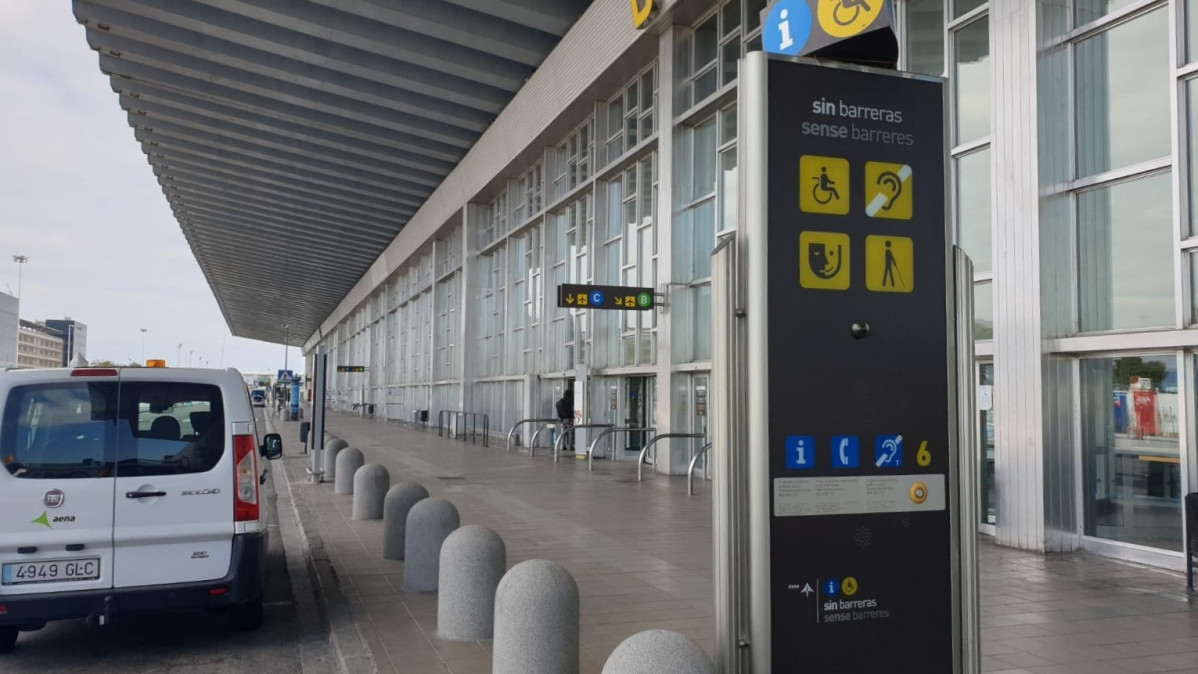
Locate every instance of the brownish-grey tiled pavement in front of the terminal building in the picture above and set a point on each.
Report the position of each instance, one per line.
(642, 557)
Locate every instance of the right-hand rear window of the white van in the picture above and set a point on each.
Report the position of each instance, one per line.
(170, 429)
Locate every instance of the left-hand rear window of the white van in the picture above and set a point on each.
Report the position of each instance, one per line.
(59, 432)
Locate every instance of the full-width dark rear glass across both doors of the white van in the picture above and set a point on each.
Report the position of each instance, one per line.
(101, 430)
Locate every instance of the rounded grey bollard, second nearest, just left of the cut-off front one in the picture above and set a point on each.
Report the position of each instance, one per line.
(536, 621)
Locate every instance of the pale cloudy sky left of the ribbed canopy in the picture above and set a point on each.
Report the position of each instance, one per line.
(81, 202)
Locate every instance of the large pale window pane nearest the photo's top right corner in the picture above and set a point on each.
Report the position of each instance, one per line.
(1122, 94)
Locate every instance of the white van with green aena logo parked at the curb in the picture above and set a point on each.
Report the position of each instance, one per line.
(129, 490)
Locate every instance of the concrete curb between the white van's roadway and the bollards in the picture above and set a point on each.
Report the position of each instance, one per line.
(350, 653)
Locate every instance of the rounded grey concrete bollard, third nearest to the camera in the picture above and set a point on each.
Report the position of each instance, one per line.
(473, 561)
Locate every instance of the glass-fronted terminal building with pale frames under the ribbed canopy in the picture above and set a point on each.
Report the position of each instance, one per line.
(616, 165)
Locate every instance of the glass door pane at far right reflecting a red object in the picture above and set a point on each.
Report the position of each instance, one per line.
(1132, 451)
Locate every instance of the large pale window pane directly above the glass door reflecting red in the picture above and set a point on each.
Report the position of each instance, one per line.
(1126, 253)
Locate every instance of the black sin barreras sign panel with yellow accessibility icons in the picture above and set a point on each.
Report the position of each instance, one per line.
(861, 538)
